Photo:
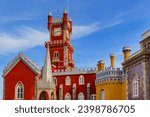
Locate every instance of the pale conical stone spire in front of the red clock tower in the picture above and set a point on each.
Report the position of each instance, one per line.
(47, 70)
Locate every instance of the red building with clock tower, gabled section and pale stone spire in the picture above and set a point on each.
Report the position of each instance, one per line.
(58, 79)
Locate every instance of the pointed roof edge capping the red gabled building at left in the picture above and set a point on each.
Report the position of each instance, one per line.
(21, 57)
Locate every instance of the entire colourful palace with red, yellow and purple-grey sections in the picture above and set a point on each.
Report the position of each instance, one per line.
(60, 80)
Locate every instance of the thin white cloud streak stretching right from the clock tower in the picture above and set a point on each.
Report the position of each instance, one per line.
(82, 31)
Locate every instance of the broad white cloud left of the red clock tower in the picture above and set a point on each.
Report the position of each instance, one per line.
(26, 38)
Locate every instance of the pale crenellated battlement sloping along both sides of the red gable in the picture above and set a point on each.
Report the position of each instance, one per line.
(24, 58)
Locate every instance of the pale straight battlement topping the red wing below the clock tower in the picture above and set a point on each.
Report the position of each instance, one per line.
(74, 71)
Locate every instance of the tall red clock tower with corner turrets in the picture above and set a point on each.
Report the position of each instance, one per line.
(60, 47)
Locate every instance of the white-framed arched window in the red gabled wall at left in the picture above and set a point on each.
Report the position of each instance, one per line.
(19, 91)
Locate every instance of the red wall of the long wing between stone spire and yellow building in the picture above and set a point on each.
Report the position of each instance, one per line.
(88, 78)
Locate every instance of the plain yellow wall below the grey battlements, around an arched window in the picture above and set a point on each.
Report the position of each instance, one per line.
(113, 91)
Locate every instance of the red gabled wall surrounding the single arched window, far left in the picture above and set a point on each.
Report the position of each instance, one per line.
(20, 73)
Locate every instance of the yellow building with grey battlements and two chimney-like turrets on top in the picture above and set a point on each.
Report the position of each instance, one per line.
(109, 81)
